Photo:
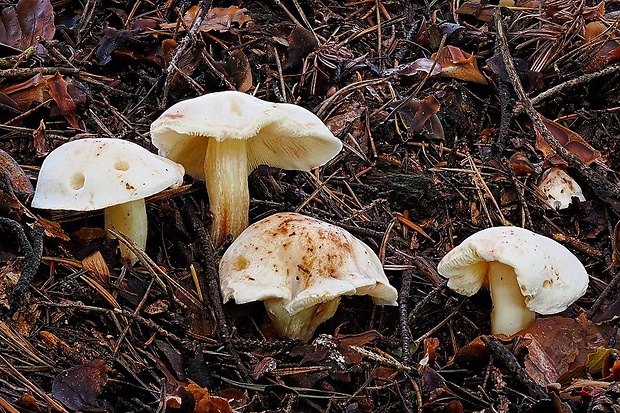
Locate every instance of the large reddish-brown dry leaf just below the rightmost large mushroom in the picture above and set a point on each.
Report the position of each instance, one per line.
(557, 348)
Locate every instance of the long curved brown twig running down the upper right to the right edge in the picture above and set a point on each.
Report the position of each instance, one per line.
(606, 190)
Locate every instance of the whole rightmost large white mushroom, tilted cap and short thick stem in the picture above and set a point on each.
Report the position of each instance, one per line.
(525, 272)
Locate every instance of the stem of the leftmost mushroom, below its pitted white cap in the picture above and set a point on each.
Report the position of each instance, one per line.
(130, 219)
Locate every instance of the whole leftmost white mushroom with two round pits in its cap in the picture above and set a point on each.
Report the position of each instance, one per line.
(113, 174)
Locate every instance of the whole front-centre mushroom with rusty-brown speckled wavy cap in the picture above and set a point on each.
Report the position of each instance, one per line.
(299, 267)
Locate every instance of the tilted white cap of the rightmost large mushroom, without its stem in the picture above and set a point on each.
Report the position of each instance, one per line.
(549, 276)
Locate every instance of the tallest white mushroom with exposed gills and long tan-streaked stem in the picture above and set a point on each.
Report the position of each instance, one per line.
(221, 137)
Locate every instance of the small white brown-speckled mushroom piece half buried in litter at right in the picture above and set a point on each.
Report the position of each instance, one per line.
(559, 188)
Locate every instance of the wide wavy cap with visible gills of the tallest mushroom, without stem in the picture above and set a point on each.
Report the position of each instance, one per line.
(281, 135)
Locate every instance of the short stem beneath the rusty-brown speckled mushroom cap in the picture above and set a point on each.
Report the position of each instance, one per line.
(302, 324)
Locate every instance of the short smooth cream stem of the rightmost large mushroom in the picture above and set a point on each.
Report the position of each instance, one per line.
(510, 313)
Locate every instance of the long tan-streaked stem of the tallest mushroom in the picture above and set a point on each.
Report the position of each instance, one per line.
(226, 175)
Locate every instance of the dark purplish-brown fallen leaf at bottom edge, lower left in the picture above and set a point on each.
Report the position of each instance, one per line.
(80, 387)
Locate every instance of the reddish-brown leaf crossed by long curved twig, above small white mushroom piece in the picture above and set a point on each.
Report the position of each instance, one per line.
(570, 140)
